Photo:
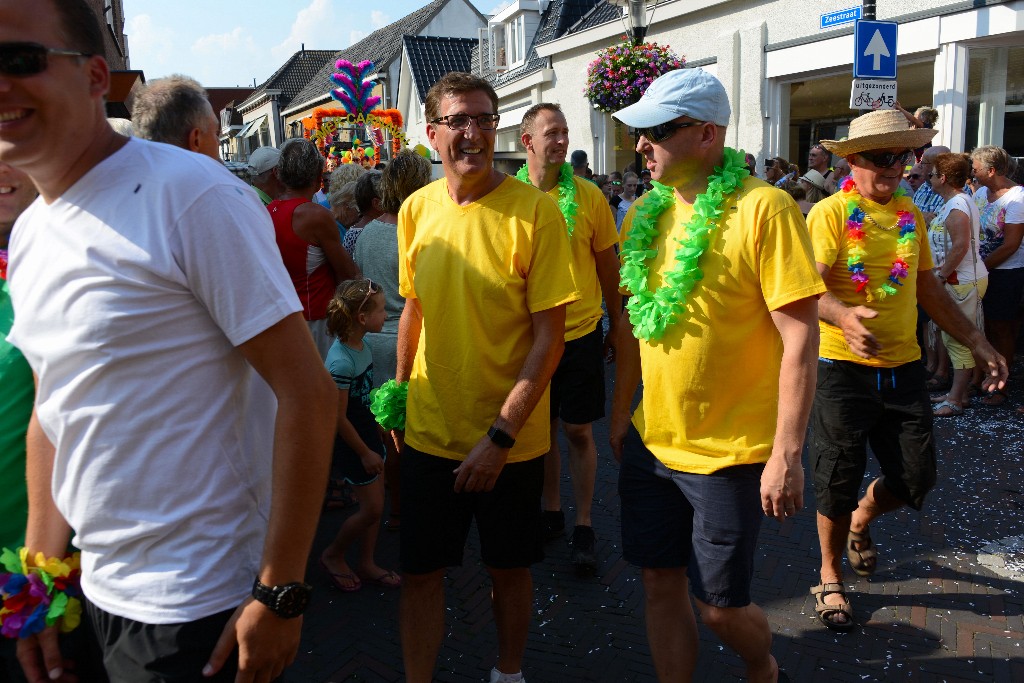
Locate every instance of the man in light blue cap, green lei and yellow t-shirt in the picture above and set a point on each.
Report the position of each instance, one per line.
(713, 445)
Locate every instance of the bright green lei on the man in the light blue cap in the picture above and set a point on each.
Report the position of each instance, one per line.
(652, 314)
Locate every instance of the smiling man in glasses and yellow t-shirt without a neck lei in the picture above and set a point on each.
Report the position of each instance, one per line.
(484, 265)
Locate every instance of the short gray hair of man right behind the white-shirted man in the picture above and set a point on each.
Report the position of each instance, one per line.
(168, 110)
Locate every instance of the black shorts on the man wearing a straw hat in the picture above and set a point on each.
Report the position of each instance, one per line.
(886, 408)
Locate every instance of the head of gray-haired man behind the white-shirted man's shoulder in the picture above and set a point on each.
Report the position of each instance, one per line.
(177, 111)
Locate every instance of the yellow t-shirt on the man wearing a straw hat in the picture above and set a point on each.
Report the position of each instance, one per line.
(895, 326)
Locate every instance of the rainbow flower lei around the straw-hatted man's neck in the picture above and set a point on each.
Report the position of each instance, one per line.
(856, 232)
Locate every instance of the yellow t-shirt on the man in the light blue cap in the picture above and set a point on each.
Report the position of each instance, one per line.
(711, 383)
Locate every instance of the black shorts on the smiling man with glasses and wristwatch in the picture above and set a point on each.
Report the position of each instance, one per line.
(436, 521)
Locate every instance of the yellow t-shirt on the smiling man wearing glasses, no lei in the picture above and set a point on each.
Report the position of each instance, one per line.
(479, 272)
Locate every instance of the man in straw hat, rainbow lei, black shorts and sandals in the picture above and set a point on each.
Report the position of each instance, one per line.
(872, 250)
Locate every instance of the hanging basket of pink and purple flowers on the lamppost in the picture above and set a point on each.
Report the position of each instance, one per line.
(621, 73)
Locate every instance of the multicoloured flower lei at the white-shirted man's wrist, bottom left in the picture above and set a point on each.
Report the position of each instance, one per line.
(36, 597)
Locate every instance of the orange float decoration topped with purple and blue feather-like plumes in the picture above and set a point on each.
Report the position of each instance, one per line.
(328, 126)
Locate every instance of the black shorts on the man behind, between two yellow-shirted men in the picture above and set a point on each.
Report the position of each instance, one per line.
(578, 386)
